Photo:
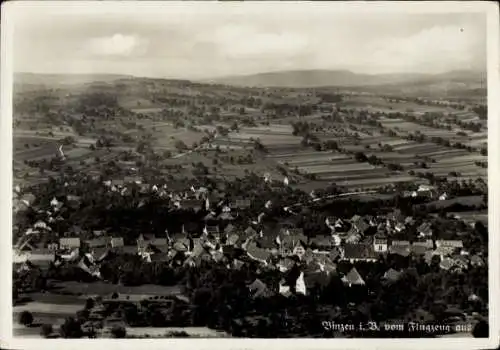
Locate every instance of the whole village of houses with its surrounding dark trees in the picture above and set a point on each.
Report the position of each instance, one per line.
(229, 235)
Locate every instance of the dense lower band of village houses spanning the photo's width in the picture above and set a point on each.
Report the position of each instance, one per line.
(360, 239)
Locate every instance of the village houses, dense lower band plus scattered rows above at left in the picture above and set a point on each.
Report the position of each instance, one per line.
(360, 238)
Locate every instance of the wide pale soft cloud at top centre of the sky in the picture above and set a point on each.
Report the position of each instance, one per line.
(246, 42)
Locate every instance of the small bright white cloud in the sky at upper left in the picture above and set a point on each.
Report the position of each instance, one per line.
(116, 45)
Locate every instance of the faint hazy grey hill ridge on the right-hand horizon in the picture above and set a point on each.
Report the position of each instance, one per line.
(344, 78)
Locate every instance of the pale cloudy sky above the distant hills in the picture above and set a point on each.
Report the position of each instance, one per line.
(207, 42)
